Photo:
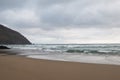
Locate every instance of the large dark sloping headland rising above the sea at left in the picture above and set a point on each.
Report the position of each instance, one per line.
(9, 36)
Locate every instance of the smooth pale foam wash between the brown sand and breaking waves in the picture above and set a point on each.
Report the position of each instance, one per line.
(81, 58)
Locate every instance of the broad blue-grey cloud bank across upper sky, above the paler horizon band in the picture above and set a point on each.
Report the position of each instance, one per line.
(53, 14)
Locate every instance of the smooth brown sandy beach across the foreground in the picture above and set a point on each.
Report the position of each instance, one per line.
(20, 68)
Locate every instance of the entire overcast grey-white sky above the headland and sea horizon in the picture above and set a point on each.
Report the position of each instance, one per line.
(63, 21)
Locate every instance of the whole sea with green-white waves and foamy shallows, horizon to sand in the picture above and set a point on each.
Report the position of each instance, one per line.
(84, 53)
